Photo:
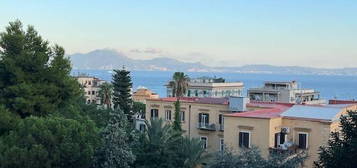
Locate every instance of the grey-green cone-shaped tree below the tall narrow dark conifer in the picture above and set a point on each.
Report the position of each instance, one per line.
(115, 151)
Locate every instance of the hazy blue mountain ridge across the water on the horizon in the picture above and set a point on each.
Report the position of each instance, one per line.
(105, 59)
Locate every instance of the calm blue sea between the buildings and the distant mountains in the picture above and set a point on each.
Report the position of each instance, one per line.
(341, 87)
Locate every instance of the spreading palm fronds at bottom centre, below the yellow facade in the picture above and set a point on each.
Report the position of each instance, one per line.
(161, 146)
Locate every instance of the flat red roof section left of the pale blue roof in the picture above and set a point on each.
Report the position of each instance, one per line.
(270, 110)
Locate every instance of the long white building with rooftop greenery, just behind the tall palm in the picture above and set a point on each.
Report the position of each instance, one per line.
(210, 87)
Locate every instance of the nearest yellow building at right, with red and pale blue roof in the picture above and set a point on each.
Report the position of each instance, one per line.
(285, 128)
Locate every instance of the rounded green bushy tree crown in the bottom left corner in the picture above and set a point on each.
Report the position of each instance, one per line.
(48, 142)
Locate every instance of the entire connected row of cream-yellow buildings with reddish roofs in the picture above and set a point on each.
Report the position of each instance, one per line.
(237, 124)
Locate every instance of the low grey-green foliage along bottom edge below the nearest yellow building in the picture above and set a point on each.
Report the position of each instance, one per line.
(251, 158)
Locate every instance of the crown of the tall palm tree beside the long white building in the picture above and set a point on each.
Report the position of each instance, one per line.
(179, 84)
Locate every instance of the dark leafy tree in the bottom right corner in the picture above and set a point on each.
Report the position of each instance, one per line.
(341, 150)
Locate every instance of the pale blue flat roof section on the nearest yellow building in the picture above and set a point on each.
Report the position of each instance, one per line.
(319, 112)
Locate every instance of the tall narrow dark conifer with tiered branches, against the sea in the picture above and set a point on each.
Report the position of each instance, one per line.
(121, 96)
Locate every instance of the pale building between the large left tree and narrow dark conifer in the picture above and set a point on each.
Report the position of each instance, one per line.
(91, 86)
